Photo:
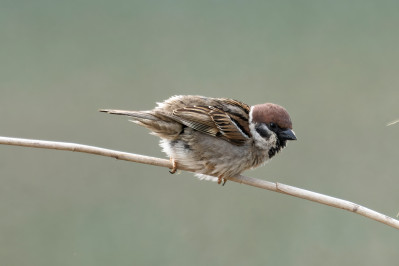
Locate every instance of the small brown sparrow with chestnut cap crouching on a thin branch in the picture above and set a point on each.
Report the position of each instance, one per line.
(216, 138)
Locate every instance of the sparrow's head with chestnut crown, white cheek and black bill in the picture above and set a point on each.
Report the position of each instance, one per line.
(271, 127)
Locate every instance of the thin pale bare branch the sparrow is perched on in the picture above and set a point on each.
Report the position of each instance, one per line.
(276, 187)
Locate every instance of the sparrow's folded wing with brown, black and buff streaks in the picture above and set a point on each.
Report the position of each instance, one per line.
(215, 122)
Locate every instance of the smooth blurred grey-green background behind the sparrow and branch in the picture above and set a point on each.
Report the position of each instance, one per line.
(333, 64)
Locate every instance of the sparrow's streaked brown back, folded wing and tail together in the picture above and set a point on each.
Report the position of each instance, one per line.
(206, 115)
